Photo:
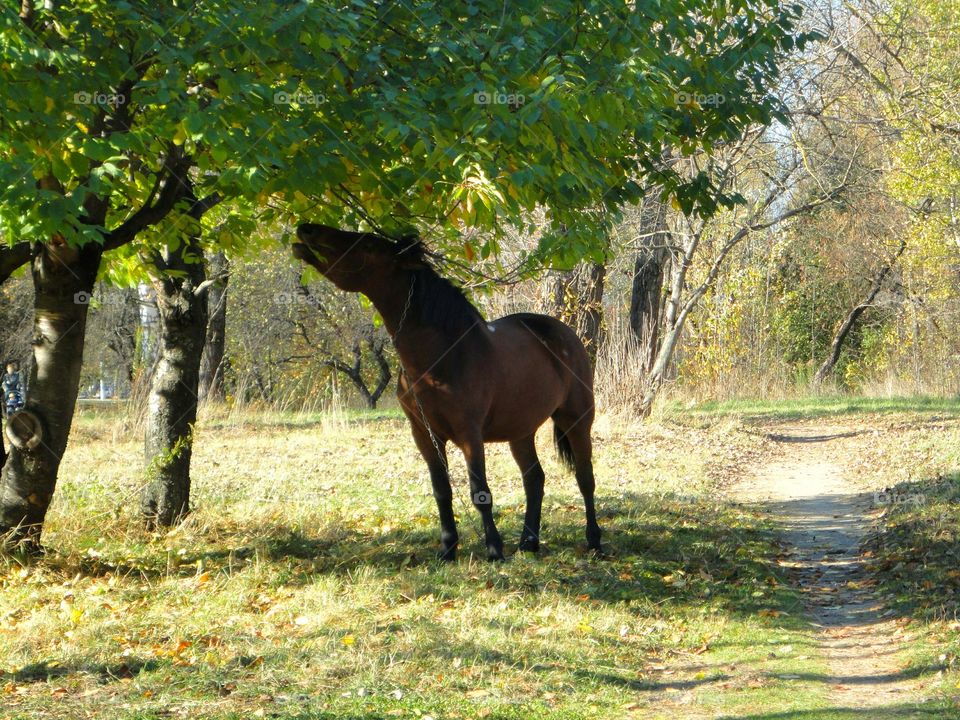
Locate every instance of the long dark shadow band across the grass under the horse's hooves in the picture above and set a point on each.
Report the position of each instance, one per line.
(660, 550)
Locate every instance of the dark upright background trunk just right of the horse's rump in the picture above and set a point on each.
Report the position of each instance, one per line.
(649, 272)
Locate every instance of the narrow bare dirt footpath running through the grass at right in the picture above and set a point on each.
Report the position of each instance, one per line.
(807, 488)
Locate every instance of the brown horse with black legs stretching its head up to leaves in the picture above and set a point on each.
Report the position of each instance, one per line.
(467, 381)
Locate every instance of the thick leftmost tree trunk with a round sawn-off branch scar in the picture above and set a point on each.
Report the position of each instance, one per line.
(63, 279)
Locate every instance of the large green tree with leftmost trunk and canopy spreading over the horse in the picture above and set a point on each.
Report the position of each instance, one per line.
(389, 115)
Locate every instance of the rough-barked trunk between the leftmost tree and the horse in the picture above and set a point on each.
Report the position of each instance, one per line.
(182, 308)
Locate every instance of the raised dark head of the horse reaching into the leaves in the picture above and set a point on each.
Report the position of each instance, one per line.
(355, 261)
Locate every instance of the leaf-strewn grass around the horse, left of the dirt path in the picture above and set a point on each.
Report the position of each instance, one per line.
(304, 585)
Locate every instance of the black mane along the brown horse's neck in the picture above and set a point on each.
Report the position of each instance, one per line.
(437, 301)
